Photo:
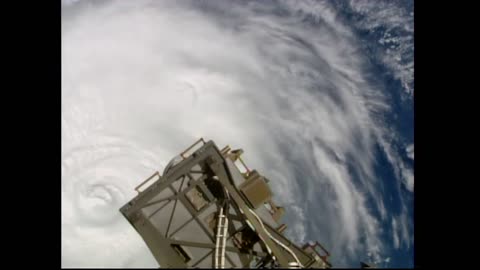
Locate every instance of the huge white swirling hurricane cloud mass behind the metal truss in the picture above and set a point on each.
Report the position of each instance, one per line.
(141, 80)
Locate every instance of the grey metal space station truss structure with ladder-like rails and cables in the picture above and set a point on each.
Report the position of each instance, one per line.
(207, 212)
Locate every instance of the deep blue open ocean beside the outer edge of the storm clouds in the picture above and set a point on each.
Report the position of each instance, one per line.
(400, 118)
